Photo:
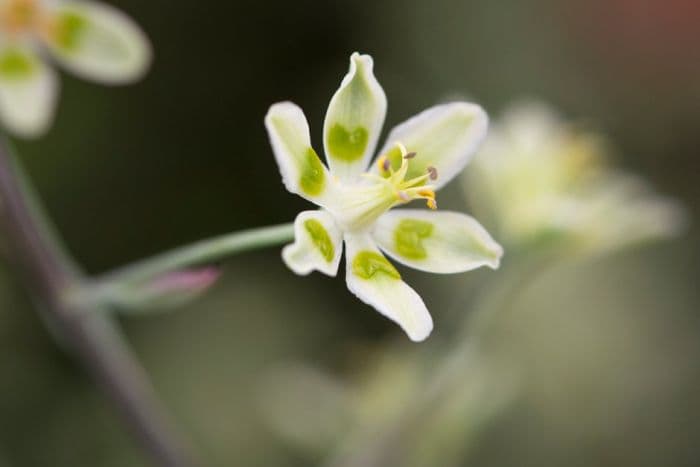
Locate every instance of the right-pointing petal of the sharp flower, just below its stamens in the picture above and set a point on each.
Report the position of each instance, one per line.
(440, 242)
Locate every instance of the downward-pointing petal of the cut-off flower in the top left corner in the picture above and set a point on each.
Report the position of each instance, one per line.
(28, 91)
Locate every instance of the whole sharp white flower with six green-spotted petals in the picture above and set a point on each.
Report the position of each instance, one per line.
(420, 156)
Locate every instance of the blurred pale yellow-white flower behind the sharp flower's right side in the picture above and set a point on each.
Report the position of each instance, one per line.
(540, 180)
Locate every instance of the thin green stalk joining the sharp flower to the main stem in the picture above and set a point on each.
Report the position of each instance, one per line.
(202, 252)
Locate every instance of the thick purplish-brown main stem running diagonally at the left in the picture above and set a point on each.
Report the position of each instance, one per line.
(92, 337)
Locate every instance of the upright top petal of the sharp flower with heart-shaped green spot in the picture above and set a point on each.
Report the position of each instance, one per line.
(354, 120)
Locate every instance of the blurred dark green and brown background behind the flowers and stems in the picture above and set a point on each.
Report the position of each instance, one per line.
(608, 348)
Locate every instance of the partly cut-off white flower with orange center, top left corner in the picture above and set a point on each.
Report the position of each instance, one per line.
(89, 39)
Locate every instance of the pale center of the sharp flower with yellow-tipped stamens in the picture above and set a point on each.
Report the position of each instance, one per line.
(362, 204)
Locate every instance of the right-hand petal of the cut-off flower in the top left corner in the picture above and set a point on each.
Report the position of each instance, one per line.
(98, 42)
